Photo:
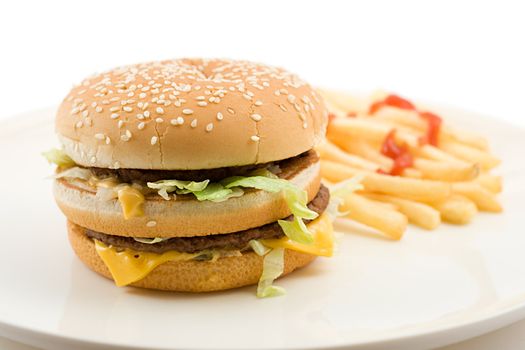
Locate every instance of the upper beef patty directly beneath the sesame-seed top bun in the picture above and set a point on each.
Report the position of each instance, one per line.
(217, 174)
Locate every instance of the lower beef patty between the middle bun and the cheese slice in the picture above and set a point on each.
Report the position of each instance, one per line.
(229, 241)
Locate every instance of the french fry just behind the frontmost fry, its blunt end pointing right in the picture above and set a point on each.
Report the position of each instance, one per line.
(419, 214)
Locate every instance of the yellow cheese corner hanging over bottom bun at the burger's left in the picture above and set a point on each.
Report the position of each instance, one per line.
(129, 266)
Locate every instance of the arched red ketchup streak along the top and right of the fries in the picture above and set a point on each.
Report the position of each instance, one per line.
(433, 121)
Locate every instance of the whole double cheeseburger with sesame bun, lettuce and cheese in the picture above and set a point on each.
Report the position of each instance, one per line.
(193, 174)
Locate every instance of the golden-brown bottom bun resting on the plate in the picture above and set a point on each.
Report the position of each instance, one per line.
(190, 276)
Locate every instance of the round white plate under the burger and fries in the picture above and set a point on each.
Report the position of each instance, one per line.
(429, 290)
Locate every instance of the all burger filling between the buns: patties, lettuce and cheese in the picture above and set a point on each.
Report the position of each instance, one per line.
(130, 259)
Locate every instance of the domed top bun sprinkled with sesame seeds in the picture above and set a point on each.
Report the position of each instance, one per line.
(190, 114)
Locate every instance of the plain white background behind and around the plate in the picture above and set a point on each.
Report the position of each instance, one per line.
(469, 54)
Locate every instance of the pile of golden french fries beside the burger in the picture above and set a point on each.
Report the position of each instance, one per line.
(448, 182)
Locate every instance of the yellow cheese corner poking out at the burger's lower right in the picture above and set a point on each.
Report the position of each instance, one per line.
(323, 244)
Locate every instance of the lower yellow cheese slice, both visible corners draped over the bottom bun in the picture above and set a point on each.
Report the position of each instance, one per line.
(128, 266)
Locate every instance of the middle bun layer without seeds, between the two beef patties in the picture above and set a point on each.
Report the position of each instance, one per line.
(189, 217)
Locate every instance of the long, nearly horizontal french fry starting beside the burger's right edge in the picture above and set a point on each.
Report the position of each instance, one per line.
(416, 189)
